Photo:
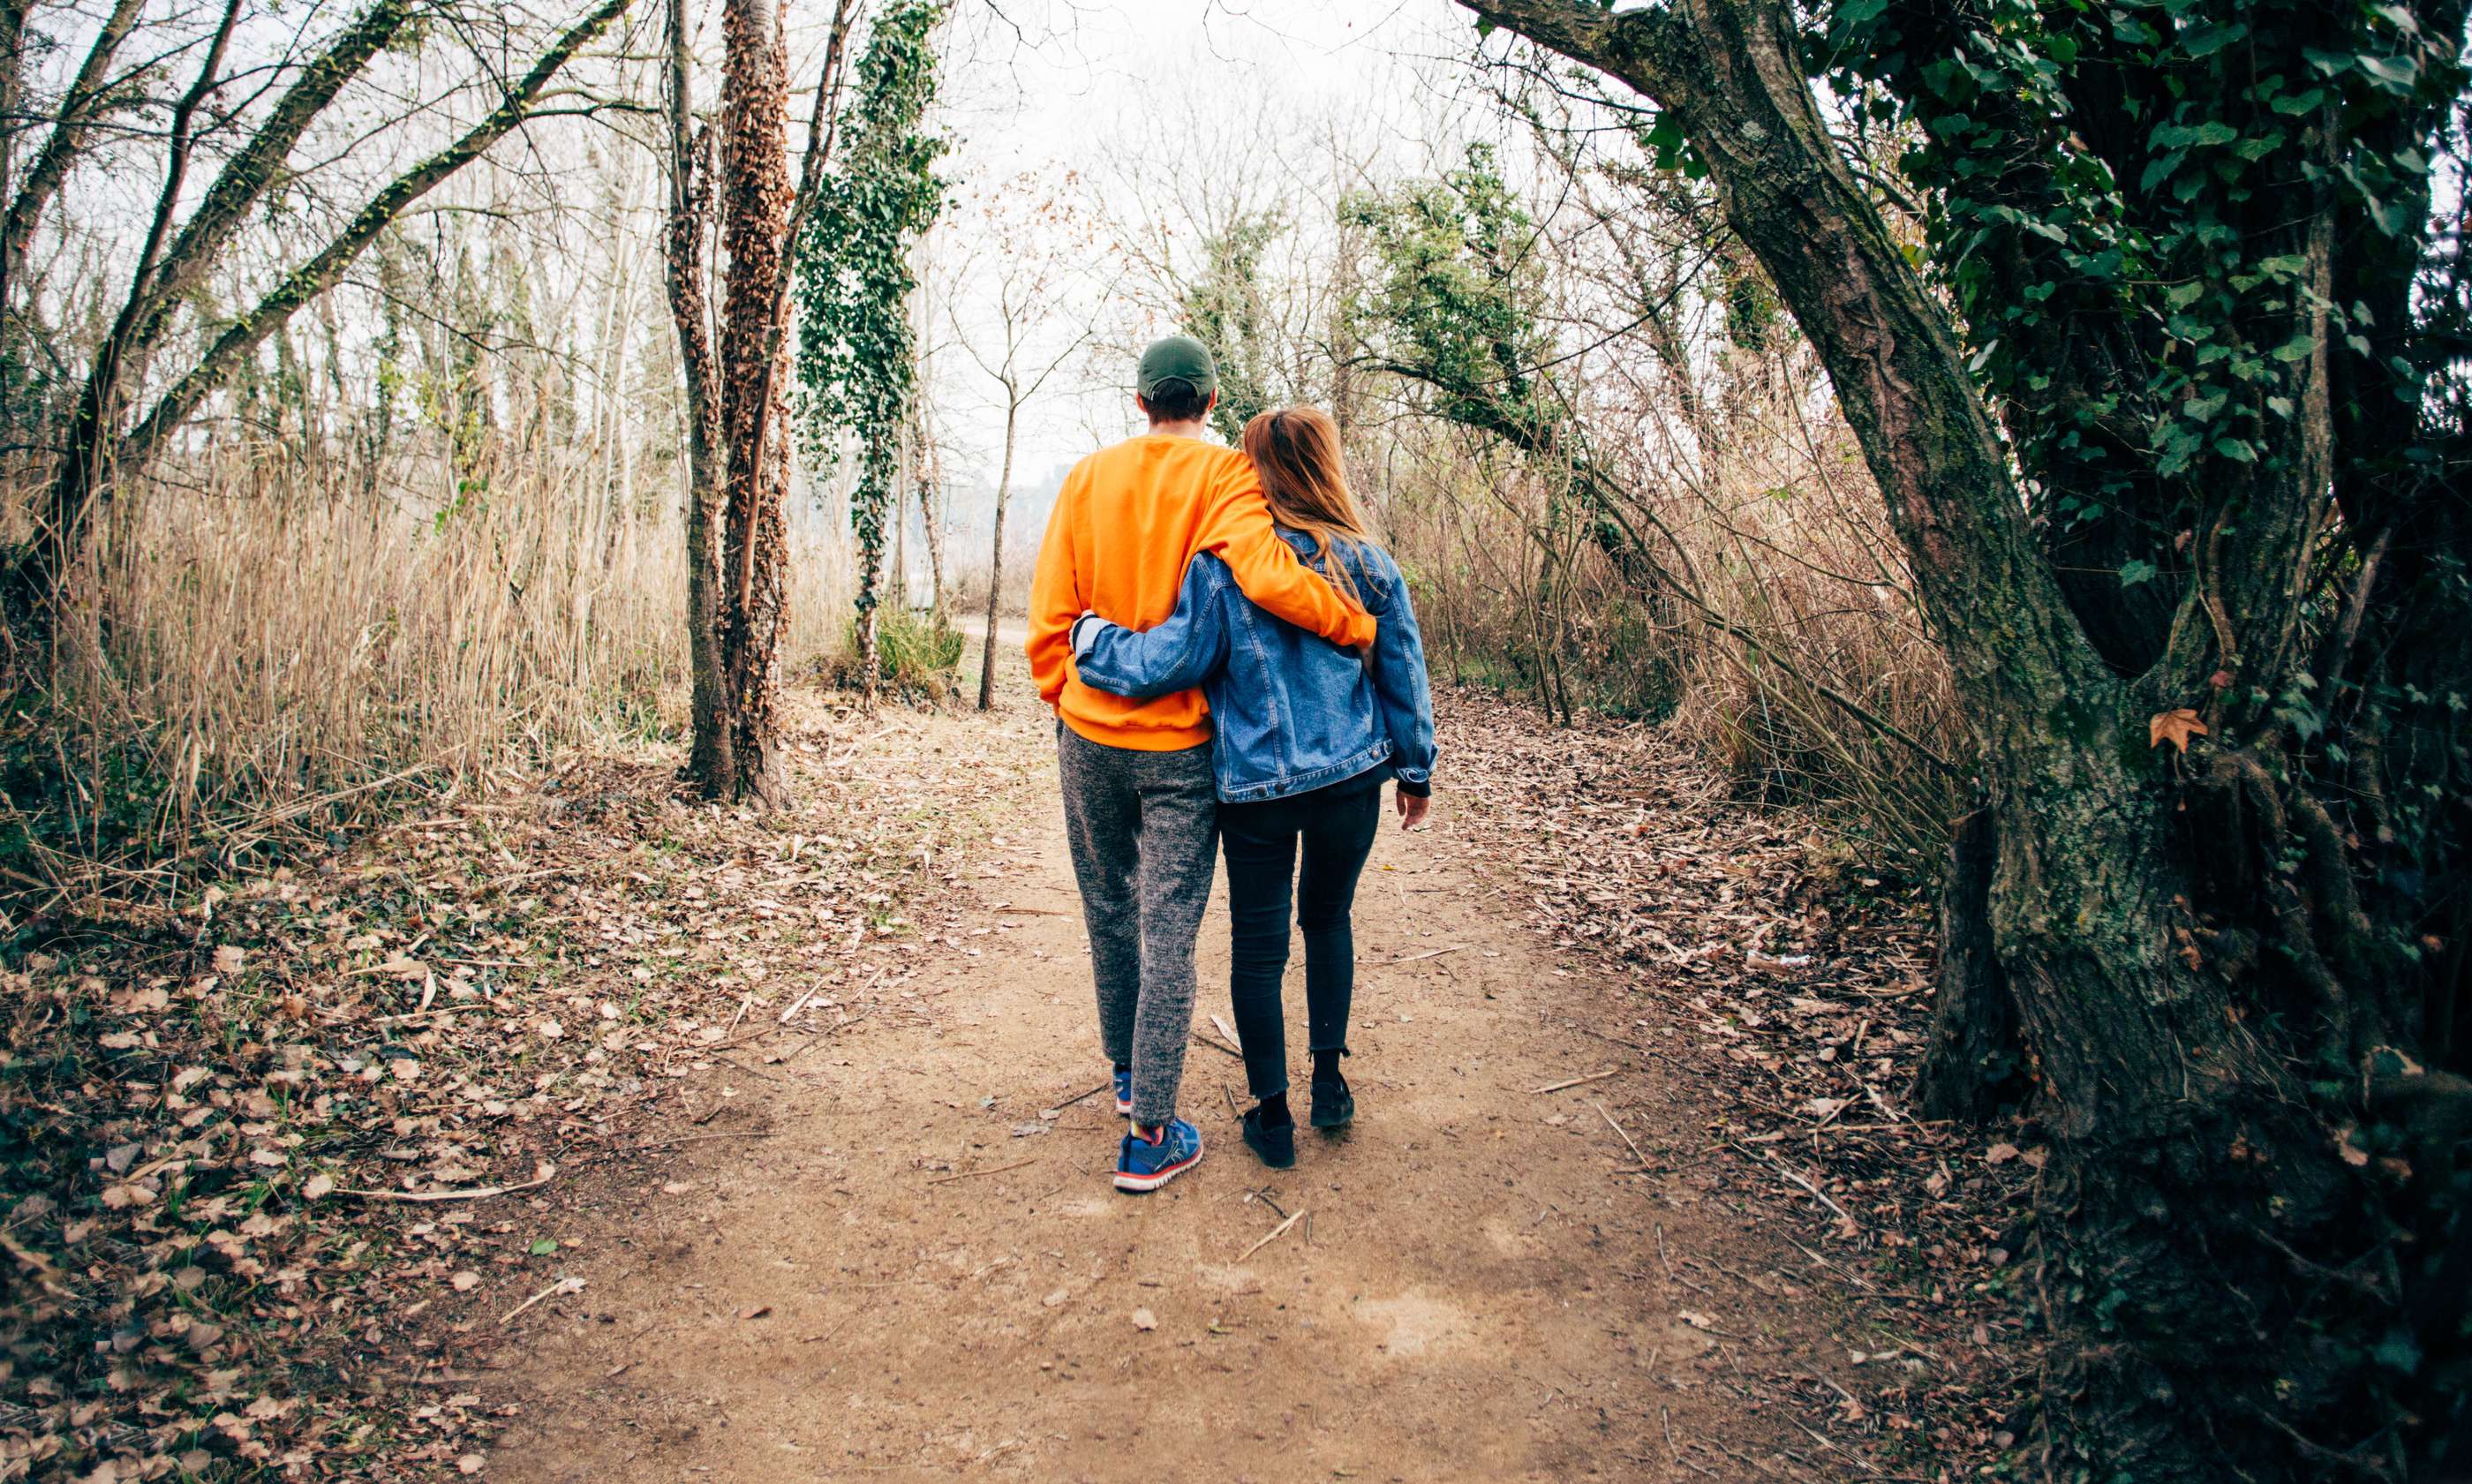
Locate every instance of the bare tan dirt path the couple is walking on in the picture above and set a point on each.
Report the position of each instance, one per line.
(908, 1270)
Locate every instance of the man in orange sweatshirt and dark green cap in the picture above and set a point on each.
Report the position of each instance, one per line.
(1141, 808)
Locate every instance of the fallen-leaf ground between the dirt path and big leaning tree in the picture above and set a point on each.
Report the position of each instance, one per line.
(1786, 983)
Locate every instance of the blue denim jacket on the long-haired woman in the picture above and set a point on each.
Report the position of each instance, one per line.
(1292, 709)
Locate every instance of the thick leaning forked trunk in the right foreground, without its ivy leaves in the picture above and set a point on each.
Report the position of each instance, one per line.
(2221, 1263)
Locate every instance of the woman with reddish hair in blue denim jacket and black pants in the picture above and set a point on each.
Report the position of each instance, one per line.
(1306, 733)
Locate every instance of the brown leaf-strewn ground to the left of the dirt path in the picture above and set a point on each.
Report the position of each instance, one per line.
(273, 1146)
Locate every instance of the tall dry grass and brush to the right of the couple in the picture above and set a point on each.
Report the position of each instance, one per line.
(1781, 639)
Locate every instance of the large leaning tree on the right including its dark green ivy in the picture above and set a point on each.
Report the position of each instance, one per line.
(2219, 882)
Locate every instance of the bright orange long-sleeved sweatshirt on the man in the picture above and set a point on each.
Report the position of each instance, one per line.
(1126, 523)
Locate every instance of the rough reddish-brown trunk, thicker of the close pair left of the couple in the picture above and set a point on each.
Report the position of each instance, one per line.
(755, 540)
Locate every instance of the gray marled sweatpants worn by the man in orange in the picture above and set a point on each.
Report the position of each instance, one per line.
(1146, 845)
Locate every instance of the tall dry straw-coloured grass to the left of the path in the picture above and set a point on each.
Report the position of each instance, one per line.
(281, 649)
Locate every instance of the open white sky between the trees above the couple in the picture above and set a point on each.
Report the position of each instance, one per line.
(1124, 93)
